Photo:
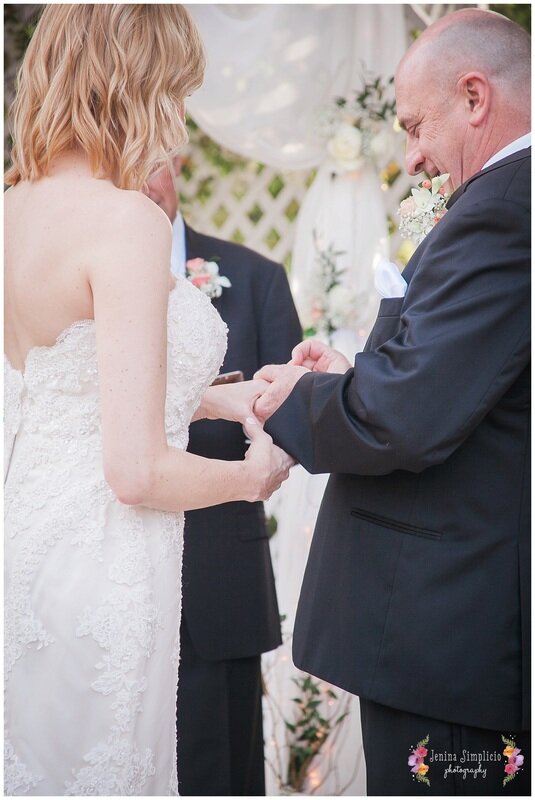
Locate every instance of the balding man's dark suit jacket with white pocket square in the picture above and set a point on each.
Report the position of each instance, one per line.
(416, 593)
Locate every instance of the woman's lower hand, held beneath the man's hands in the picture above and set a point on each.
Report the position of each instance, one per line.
(269, 465)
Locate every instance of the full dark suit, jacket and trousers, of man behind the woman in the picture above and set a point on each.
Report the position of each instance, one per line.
(230, 614)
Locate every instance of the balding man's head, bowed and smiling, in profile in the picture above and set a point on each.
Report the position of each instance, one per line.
(463, 92)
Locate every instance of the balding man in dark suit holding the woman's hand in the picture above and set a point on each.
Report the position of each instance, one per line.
(416, 593)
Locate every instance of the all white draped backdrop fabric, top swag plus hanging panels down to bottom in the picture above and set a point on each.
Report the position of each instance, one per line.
(272, 70)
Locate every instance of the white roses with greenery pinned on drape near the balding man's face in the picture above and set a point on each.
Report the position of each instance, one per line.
(360, 130)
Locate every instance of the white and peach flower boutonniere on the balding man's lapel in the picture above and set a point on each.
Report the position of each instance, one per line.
(420, 213)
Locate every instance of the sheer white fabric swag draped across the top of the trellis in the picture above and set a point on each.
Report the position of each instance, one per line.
(272, 70)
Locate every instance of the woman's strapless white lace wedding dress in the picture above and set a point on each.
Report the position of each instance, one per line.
(92, 586)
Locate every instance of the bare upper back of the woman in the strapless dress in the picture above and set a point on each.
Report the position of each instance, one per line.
(55, 229)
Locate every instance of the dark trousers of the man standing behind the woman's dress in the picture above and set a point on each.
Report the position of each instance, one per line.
(220, 749)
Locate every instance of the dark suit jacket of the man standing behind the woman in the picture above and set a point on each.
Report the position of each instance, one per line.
(229, 599)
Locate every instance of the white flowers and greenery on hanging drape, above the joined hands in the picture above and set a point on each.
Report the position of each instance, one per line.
(332, 305)
